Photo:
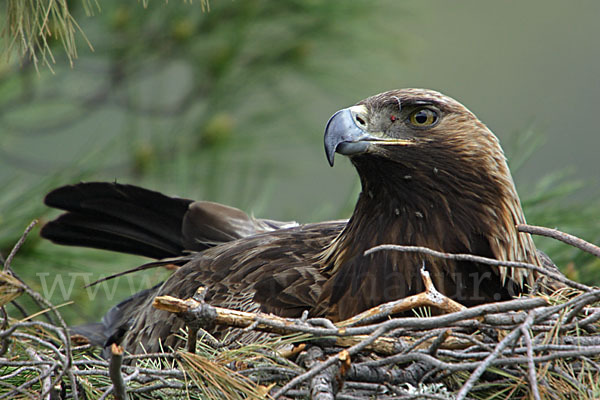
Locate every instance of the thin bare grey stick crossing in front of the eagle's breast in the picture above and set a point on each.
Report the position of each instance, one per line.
(480, 259)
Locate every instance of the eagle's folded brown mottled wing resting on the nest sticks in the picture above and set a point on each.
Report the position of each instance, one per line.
(275, 272)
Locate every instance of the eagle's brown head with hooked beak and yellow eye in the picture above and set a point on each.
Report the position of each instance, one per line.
(420, 131)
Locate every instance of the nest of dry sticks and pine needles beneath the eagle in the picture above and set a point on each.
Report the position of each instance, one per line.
(542, 346)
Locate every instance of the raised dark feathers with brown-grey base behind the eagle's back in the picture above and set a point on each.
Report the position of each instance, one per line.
(130, 219)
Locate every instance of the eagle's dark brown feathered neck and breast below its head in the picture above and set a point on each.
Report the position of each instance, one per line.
(425, 204)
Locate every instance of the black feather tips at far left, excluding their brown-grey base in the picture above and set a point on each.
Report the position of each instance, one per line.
(117, 217)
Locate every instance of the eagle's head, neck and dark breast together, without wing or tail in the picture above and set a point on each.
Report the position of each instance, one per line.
(432, 175)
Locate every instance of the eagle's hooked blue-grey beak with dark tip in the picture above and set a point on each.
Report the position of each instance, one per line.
(345, 133)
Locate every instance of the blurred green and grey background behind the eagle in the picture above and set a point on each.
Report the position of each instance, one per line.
(230, 104)
